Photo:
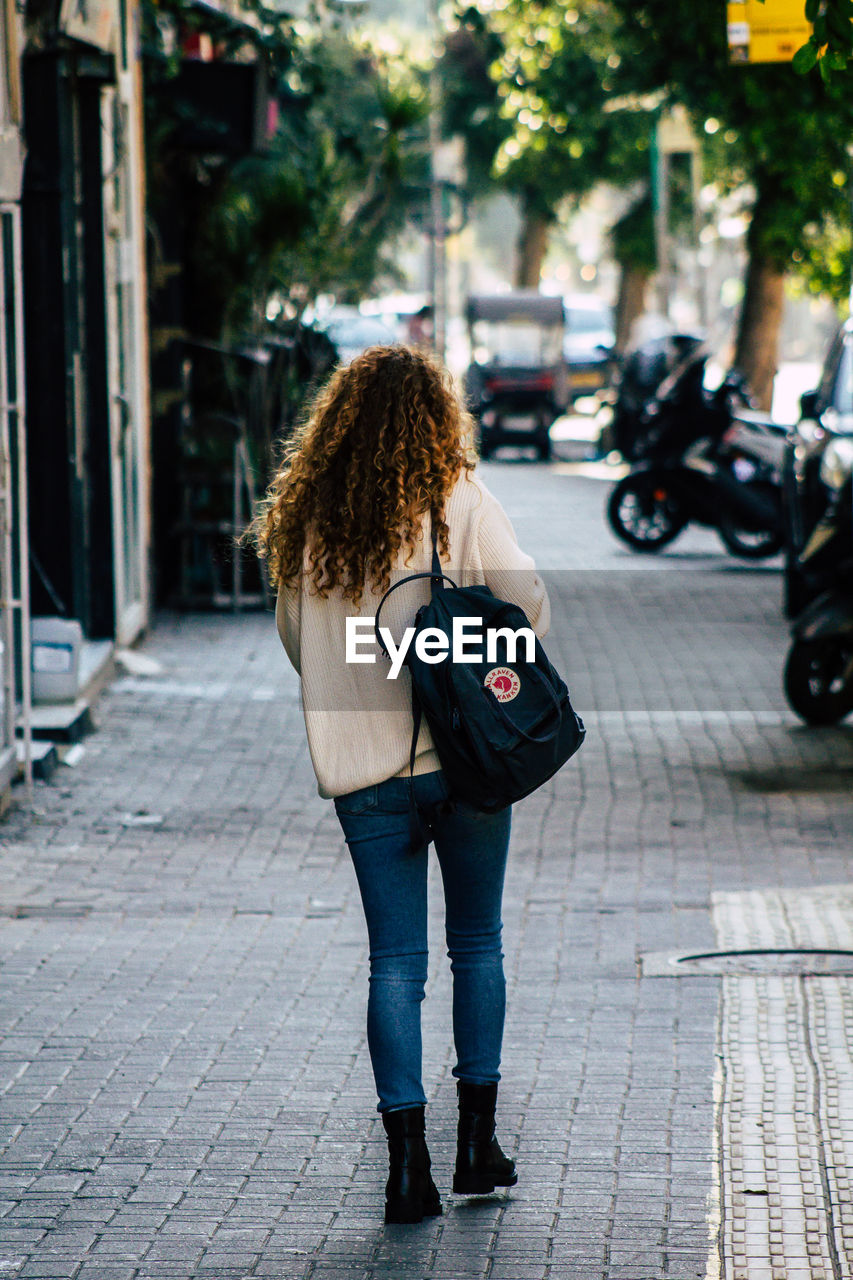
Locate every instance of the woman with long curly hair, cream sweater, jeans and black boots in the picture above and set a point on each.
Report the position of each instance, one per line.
(381, 463)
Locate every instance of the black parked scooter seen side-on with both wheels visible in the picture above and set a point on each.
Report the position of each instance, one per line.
(703, 458)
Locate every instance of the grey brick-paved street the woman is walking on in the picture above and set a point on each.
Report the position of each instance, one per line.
(185, 1084)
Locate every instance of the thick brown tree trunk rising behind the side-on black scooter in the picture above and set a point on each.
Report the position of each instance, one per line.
(761, 316)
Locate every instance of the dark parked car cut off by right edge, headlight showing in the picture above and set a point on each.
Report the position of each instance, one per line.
(827, 419)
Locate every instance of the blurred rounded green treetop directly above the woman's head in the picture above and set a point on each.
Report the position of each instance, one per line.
(317, 213)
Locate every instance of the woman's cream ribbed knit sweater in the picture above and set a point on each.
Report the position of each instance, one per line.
(359, 721)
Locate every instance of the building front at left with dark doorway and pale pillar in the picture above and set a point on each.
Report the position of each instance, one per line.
(85, 318)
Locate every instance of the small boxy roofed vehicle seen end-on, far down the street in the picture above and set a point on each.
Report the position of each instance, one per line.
(517, 383)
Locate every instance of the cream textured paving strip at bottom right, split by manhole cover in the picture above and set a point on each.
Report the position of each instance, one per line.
(787, 1105)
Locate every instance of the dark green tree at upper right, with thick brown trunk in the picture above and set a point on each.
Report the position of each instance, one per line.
(783, 136)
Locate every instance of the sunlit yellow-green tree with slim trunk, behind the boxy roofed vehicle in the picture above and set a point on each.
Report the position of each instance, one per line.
(528, 83)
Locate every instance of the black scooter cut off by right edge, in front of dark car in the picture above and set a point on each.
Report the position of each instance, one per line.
(819, 671)
